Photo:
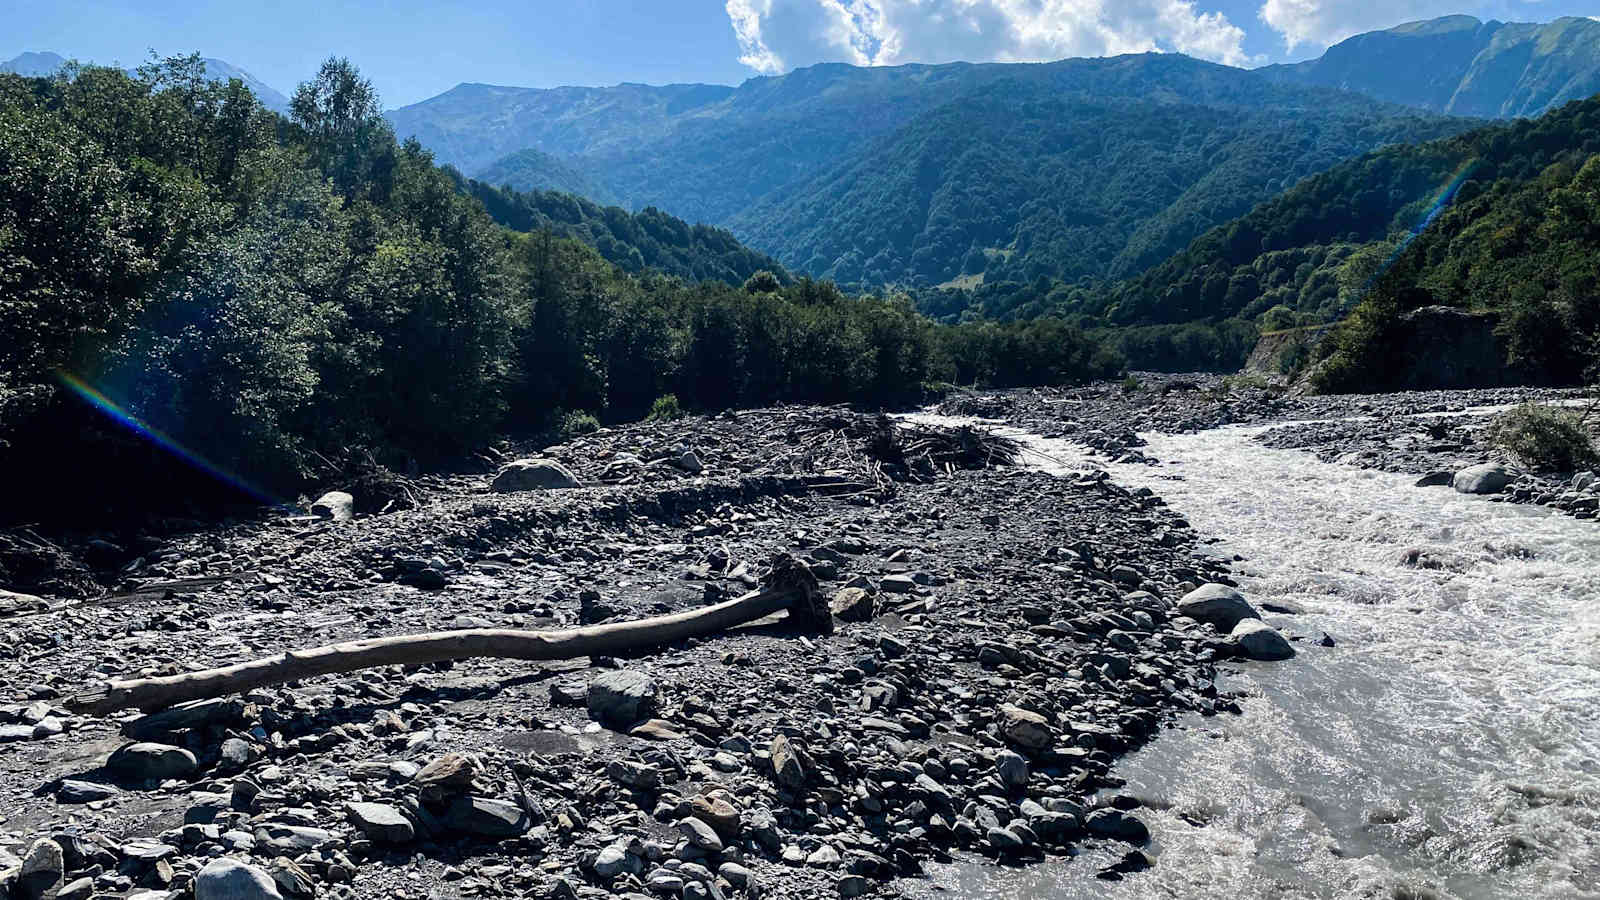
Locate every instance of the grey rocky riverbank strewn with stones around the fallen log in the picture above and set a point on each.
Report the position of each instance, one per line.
(1001, 638)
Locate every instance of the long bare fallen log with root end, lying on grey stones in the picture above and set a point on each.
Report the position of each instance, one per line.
(790, 589)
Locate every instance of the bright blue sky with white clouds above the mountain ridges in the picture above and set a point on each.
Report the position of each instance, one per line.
(415, 50)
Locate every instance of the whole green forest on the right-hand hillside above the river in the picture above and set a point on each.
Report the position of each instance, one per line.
(1465, 222)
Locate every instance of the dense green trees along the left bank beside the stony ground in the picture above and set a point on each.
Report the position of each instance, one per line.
(279, 294)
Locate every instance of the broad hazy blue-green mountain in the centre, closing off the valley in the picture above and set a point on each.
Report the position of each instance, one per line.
(924, 174)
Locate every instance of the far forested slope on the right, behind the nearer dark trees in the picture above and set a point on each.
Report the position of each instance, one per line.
(1318, 247)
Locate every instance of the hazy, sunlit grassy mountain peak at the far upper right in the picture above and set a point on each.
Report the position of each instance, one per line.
(1463, 66)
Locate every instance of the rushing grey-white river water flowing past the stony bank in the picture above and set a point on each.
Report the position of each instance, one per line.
(1449, 745)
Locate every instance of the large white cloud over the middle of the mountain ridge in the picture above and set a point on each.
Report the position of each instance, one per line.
(780, 34)
